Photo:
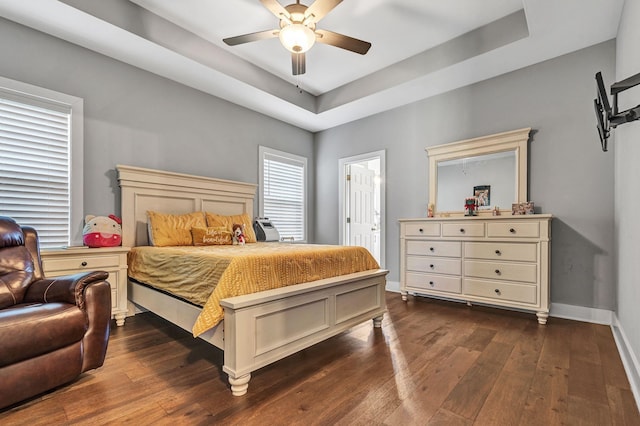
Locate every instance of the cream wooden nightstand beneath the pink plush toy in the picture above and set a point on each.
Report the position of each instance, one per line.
(111, 259)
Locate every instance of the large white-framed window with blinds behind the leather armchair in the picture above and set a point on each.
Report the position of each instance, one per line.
(41, 161)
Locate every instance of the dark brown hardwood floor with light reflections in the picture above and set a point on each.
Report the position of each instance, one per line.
(433, 362)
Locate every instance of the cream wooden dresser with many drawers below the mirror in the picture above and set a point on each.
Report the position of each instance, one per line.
(496, 260)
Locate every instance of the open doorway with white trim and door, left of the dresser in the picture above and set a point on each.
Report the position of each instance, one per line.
(362, 203)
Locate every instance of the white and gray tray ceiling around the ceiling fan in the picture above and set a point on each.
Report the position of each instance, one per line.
(419, 48)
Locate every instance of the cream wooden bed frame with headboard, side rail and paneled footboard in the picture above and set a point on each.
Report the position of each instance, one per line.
(260, 328)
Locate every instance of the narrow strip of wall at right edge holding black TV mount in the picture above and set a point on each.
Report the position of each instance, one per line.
(626, 141)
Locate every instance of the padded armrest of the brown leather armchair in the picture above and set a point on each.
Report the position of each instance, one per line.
(68, 288)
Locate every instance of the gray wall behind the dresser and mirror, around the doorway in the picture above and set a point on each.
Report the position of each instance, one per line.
(568, 174)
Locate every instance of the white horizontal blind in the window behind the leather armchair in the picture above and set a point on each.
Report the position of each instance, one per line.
(35, 165)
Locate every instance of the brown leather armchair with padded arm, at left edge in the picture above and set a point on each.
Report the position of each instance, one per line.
(51, 329)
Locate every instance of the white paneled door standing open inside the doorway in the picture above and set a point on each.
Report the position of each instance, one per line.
(360, 222)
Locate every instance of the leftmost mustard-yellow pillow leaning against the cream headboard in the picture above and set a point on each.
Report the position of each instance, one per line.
(173, 229)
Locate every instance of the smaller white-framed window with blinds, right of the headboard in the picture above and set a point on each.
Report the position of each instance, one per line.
(283, 185)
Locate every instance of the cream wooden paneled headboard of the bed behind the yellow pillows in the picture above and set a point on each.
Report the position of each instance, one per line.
(176, 193)
